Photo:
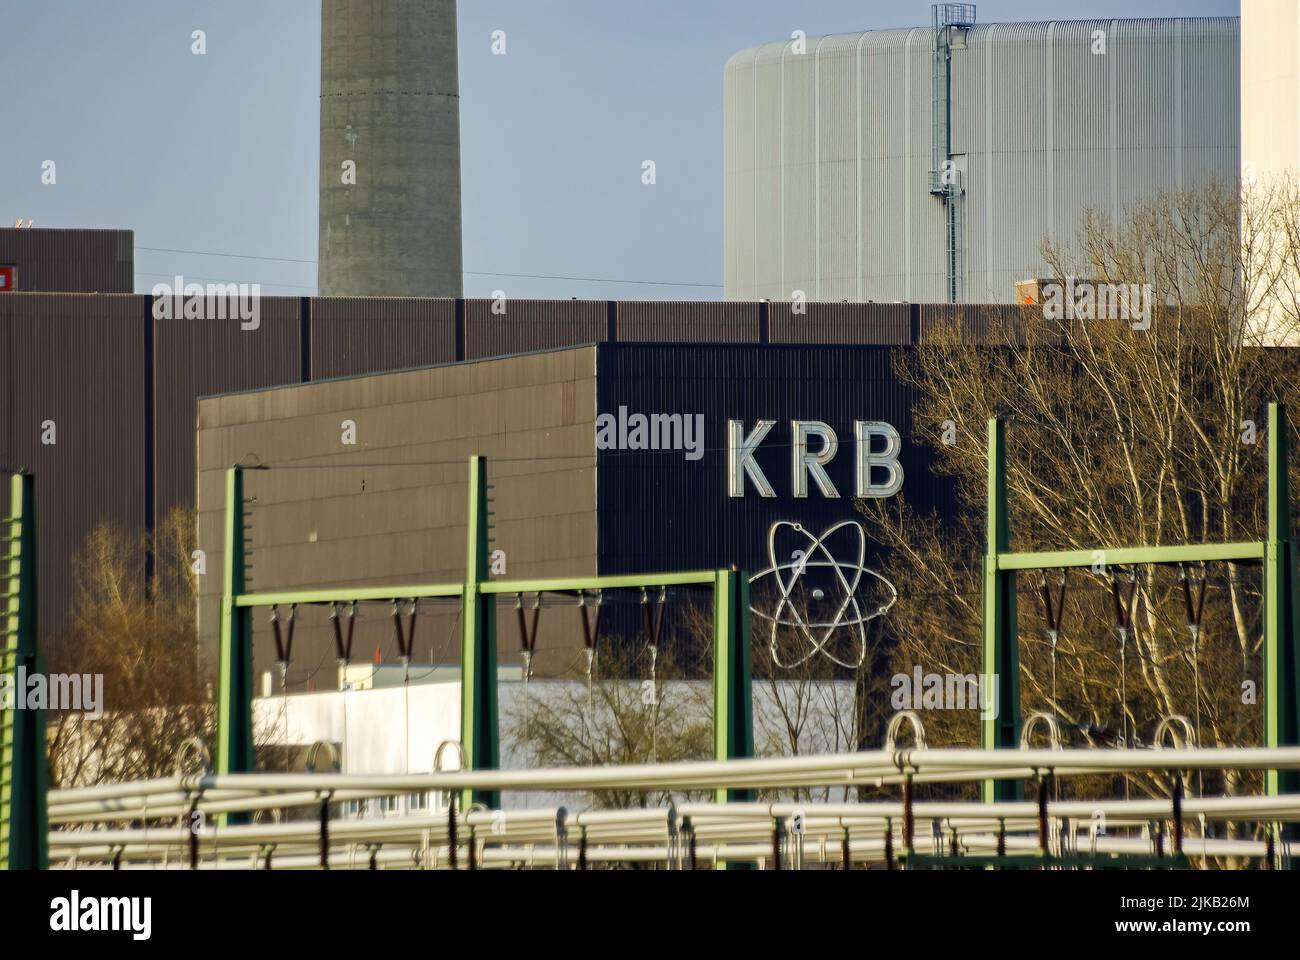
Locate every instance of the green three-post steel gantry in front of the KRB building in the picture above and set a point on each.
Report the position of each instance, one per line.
(734, 733)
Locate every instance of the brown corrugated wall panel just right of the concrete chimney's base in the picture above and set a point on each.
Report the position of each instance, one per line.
(532, 326)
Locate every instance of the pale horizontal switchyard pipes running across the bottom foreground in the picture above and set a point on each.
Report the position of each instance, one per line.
(153, 824)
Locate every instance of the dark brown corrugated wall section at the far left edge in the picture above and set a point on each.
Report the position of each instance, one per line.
(75, 414)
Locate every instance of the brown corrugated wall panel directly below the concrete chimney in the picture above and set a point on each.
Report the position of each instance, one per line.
(365, 335)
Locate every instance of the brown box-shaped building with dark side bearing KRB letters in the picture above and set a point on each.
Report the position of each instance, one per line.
(362, 482)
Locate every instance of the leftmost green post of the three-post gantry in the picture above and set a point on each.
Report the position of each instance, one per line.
(235, 684)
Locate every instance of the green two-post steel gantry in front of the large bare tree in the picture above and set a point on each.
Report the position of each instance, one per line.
(1000, 652)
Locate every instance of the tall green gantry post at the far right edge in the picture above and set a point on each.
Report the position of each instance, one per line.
(1281, 643)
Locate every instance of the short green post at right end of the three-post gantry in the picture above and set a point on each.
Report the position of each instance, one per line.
(734, 712)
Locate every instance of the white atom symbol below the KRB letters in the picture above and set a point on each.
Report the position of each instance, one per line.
(844, 578)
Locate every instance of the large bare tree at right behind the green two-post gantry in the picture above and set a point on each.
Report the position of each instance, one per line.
(1143, 426)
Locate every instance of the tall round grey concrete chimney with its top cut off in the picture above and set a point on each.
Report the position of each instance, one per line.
(391, 150)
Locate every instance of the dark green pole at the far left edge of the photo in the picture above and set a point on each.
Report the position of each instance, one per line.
(24, 776)
